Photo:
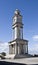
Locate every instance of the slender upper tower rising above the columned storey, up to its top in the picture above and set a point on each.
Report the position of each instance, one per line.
(17, 25)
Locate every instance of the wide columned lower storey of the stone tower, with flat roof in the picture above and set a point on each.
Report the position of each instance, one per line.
(18, 46)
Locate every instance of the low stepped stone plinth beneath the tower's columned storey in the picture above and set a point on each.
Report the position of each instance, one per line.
(13, 56)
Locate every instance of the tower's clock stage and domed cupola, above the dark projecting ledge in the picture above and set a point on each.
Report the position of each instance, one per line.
(17, 18)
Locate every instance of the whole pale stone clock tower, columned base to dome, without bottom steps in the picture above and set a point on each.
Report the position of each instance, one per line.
(18, 45)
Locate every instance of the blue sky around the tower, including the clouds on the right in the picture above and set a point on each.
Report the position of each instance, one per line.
(29, 11)
